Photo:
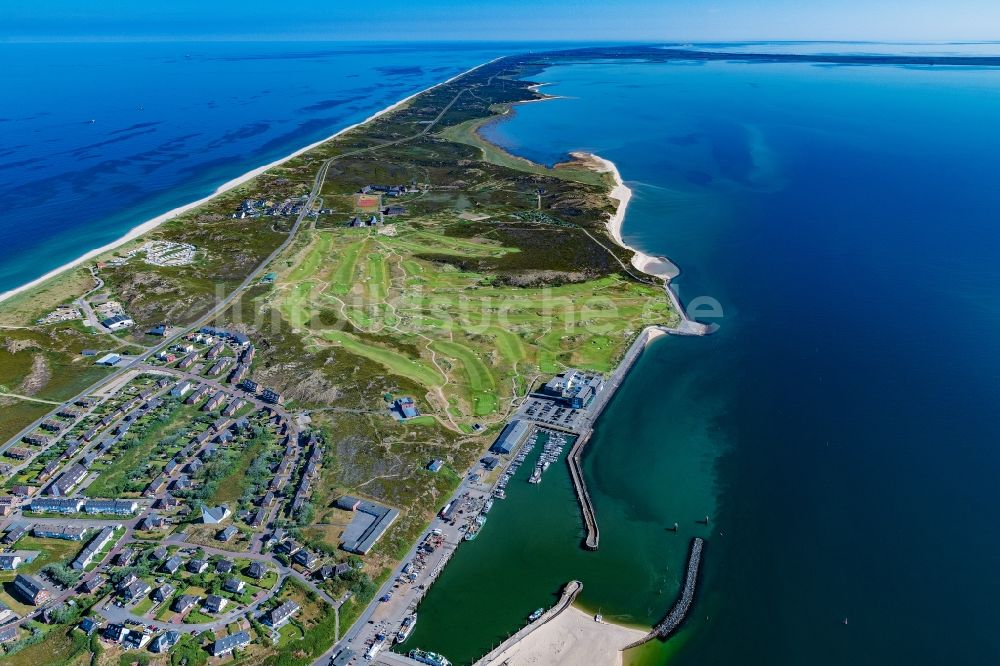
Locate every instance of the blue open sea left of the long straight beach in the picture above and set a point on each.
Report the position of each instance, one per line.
(97, 138)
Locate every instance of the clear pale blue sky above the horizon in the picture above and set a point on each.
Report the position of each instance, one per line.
(507, 20)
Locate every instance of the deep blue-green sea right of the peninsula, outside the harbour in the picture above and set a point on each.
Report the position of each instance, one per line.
(844, 416)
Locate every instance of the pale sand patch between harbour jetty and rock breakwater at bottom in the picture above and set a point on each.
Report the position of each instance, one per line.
(571, 639)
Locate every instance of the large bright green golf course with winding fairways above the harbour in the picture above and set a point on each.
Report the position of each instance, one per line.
(489, 338)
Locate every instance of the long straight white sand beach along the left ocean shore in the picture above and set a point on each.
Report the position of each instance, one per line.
(235, 182)
